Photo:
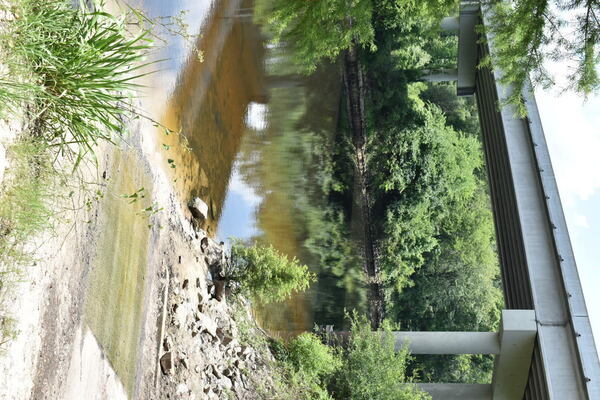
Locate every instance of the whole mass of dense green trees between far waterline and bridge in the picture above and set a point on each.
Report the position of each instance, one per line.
(436, 250)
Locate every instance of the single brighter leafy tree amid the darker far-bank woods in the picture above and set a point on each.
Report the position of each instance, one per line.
(422, 170)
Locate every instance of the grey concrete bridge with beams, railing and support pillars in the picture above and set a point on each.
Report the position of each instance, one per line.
(545, 349)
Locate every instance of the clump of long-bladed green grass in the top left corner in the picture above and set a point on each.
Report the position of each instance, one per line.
(76, 66)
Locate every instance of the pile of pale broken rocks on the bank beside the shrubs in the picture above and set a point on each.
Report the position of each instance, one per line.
(201, 355)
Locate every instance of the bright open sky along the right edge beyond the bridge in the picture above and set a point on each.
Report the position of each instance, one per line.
(572, 128)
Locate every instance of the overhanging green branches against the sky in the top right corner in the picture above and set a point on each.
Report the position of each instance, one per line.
(529, 32)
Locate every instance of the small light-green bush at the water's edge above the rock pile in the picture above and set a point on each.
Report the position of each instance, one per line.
(267, 275)
